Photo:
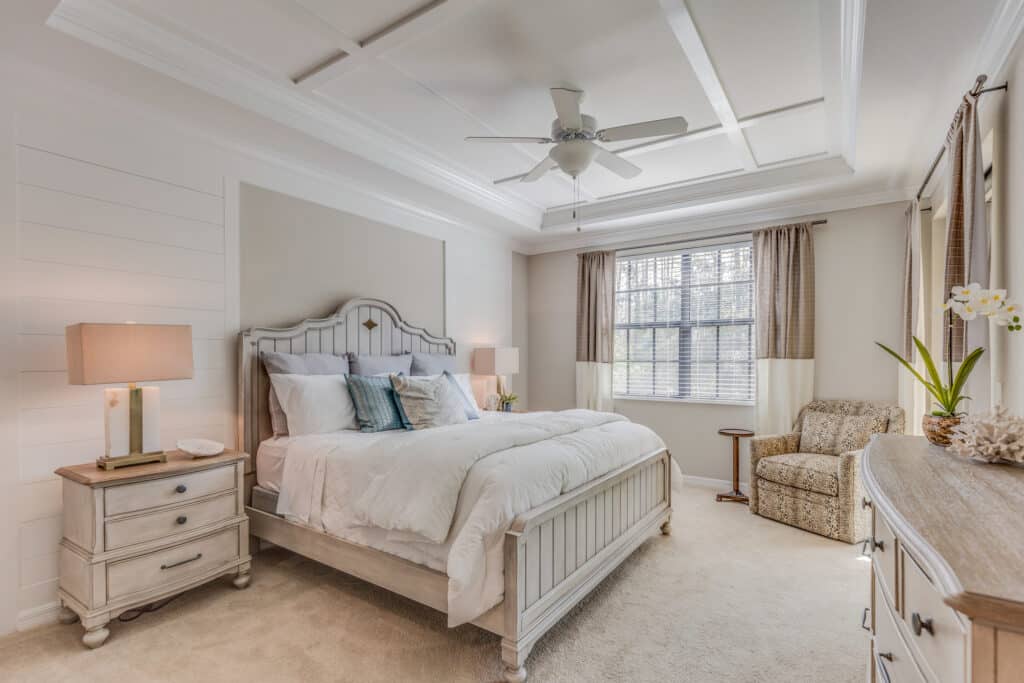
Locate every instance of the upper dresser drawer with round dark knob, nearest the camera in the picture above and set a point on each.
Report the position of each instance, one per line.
(936, 631)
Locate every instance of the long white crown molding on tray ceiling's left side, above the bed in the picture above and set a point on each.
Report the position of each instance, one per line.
(105, 25)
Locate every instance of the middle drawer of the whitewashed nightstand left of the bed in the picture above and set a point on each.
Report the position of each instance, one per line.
(152, 526)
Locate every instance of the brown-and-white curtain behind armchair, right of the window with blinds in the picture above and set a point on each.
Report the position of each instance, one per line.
(784, 286)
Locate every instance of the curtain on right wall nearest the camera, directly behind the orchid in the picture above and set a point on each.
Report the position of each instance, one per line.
(967, 259)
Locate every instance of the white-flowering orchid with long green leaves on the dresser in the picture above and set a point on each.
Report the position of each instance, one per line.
(968, 304)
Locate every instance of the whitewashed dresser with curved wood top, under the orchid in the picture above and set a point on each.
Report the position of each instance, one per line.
(948, 566)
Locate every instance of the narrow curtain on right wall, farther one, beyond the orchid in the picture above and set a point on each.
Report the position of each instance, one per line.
(913, 396)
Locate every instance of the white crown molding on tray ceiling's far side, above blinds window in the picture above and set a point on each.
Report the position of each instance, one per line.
(635, 209)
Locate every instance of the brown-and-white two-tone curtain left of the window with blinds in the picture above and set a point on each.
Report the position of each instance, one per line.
(595, 321)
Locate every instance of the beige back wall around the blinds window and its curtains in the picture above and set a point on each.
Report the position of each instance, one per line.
(860, 269)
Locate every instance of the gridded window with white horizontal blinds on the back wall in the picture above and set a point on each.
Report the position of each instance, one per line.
(685, 325)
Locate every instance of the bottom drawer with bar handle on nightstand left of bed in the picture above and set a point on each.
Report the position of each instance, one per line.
(173, 565)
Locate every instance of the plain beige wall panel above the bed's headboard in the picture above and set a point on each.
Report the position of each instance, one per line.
(301, 260)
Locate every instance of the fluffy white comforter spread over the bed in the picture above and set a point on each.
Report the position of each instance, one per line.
(458, 487)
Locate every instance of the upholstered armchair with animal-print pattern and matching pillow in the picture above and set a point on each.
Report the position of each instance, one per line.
(818, 488)
